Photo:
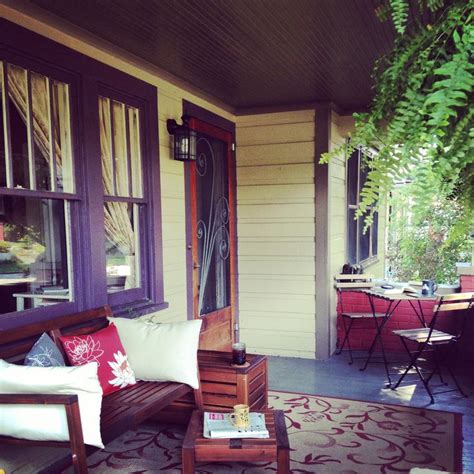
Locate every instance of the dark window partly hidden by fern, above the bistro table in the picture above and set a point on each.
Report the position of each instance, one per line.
(361, 247)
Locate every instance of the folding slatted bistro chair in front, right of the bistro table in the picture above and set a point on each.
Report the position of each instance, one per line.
(429, 339)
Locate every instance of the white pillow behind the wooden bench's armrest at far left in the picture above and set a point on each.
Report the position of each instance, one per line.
(49, 422)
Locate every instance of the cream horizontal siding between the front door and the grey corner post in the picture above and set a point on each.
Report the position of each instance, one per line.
(276, 229)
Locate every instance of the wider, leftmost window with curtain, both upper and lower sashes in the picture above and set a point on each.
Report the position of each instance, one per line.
(36, 170)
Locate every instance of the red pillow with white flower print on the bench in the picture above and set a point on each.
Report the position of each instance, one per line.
(105, 348)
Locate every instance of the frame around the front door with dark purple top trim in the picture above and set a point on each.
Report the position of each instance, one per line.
(222, 129)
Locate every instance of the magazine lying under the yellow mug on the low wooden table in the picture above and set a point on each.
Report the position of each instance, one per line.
(219, 425)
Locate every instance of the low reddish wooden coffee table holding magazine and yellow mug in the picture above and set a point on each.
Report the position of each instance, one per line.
(196, 448)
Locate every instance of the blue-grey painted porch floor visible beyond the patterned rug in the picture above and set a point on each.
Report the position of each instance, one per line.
(335, 377)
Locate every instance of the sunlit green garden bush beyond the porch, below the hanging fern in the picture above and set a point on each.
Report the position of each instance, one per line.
(430, 245)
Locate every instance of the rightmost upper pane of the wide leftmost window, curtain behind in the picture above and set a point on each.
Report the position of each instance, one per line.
(62, 138)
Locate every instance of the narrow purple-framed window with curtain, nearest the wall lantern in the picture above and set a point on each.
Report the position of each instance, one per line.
(123, 192)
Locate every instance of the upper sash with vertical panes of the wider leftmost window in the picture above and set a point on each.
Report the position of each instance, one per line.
(41, 102)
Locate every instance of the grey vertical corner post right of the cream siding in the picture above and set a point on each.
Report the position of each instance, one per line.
(322, 276)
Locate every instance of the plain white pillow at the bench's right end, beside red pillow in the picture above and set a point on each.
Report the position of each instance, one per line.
(166, 352)
